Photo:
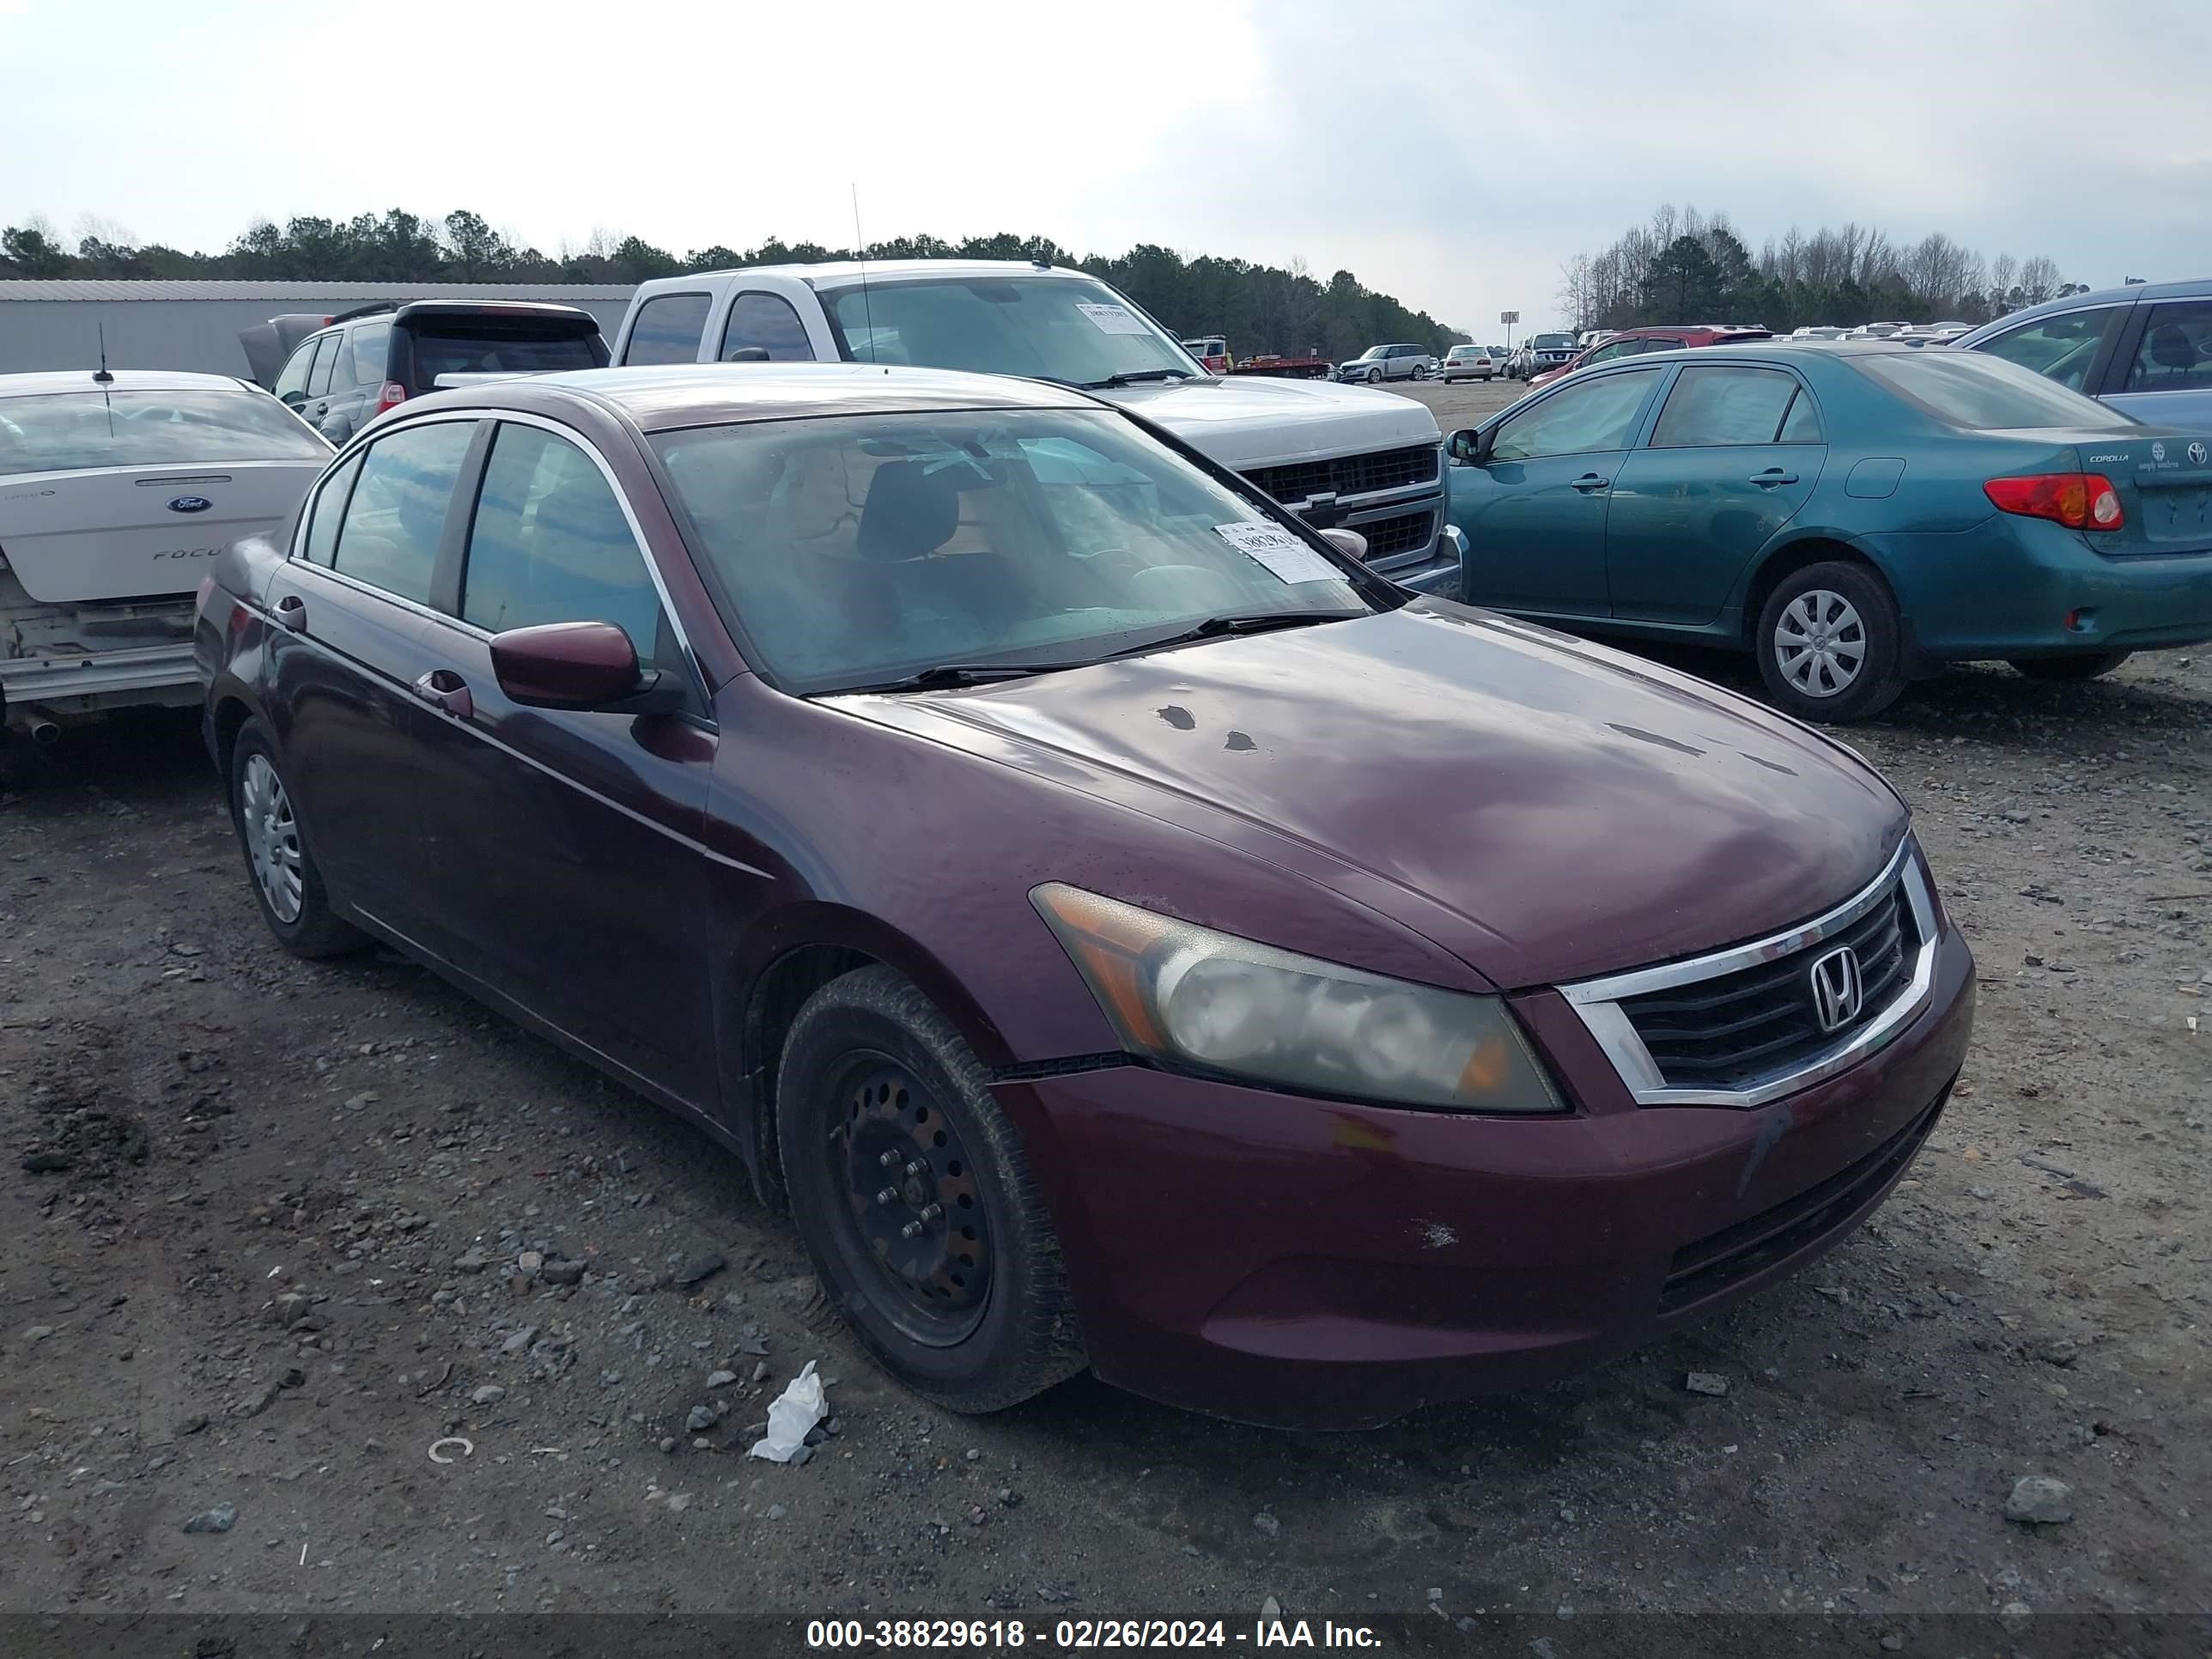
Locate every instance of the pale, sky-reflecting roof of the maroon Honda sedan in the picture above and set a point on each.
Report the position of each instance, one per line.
(707, 395)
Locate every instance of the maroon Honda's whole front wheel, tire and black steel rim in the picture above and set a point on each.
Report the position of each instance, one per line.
(873, 1061)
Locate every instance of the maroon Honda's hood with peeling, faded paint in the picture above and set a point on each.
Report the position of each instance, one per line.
(1538, 806)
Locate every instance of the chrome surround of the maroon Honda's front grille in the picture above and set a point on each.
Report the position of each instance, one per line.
(1598, 1003)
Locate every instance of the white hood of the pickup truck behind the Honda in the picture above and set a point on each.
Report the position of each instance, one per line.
(1264, 421)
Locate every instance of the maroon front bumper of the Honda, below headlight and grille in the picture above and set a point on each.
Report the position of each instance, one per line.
(1335, 1266)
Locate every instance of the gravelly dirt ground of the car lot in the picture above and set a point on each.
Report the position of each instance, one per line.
(238, 1131)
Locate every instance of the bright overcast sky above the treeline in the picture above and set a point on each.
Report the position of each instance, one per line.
(1448, 154)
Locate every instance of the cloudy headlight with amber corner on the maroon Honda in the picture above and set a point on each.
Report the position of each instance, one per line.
(1222, 1003)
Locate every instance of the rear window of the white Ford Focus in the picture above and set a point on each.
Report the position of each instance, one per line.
(79, 430)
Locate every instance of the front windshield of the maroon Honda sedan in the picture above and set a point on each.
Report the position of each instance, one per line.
(864, 550)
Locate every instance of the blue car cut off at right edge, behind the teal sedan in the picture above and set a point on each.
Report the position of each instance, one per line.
(2147, 348)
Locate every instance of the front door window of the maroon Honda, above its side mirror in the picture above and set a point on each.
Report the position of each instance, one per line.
(552, 545)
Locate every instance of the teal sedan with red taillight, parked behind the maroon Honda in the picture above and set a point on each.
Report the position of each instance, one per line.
(1855, 514)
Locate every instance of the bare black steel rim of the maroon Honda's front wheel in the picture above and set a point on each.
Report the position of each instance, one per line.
(912, 1196)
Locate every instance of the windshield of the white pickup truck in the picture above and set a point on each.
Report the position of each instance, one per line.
(1045, 328)
